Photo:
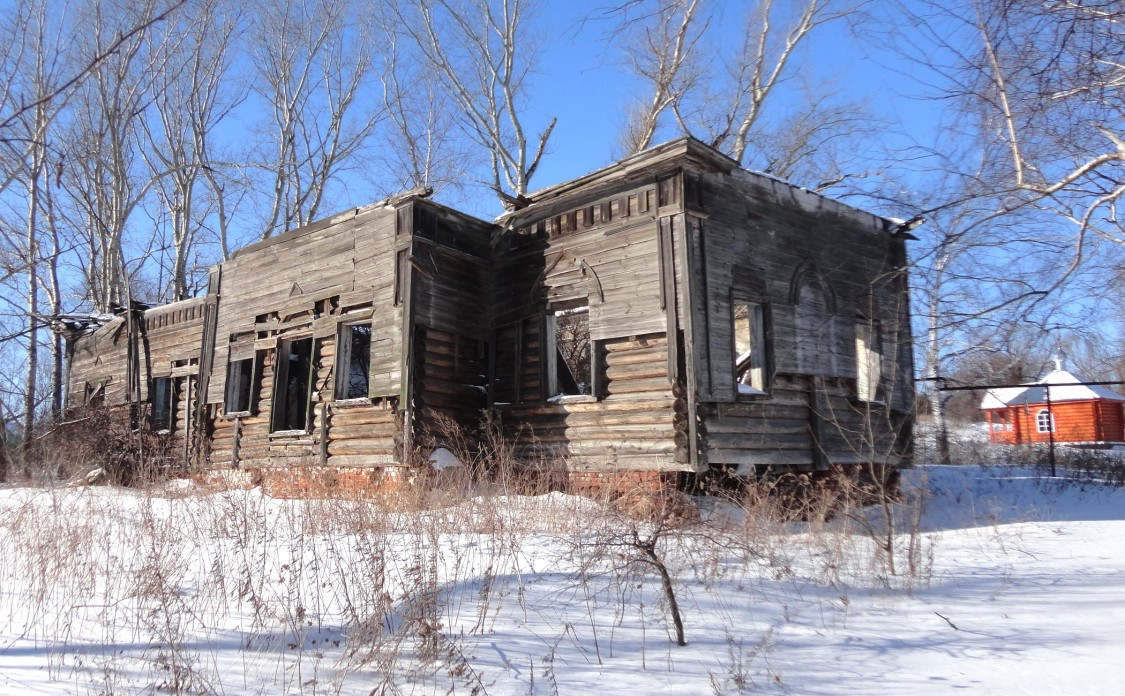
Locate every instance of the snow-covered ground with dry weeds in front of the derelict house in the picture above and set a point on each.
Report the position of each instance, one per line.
(1012, 585)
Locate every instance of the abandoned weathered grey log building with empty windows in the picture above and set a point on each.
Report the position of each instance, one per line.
(670, 314)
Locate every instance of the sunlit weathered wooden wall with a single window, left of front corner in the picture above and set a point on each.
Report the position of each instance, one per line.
(599, 248)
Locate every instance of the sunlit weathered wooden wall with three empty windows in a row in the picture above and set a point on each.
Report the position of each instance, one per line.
(309, 284)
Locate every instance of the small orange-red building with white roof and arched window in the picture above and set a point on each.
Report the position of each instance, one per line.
(1076, 412)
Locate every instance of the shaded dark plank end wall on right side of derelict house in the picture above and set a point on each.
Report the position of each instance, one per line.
(821, 268)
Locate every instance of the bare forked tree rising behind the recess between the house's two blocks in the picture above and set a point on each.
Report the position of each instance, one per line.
(482, 52)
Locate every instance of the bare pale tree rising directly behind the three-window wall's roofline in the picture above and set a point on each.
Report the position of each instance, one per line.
(312, 62)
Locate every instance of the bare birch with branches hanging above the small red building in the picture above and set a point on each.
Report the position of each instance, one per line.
(1036, 138)
